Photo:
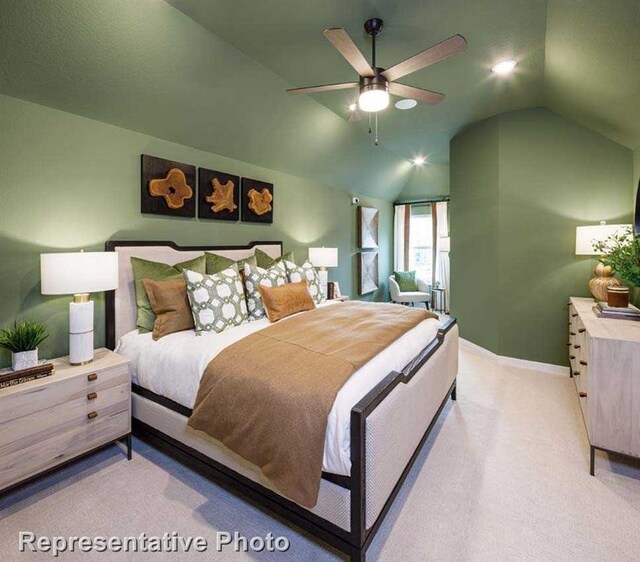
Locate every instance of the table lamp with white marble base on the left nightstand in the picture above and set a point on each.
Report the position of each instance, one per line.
(79, 274)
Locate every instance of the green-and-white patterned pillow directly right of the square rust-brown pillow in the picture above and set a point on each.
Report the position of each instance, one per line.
(217, 301)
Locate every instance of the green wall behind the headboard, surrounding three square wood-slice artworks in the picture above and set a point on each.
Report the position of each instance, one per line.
(69, 182)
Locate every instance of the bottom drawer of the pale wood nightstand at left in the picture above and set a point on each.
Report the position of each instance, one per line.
(111, 423)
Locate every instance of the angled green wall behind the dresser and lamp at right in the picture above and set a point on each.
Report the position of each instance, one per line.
(520, 184)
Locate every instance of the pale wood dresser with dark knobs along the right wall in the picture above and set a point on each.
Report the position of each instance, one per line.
(604, 356)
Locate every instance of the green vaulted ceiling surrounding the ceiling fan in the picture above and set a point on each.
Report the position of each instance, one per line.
(212, 74)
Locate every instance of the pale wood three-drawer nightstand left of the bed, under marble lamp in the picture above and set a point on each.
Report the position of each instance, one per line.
(50, 421)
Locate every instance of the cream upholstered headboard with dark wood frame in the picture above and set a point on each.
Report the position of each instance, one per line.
(121, 303)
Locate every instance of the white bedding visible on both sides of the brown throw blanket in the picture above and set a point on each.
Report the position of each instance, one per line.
(172, 367)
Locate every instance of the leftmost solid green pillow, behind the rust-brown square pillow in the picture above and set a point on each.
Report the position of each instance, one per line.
(156, 271)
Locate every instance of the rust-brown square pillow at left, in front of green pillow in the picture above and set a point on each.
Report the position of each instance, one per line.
(170, 304)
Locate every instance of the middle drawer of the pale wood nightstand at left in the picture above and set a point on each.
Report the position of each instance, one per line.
(43, 424)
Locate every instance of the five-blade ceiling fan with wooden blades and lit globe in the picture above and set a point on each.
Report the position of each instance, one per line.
(376, 83)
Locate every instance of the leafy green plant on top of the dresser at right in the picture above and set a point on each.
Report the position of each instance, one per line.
(622, 253)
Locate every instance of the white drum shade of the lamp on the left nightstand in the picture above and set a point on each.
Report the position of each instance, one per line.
(78, 272)
